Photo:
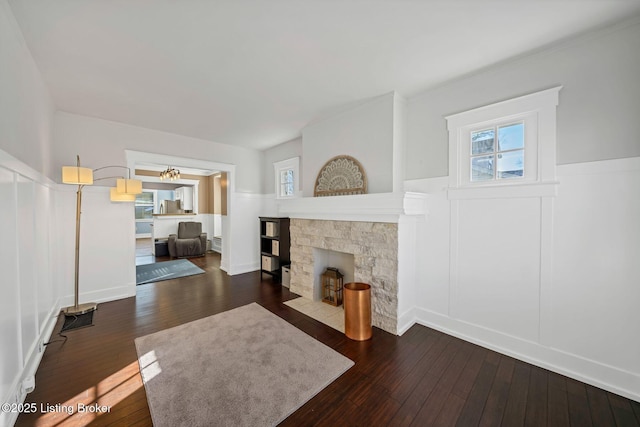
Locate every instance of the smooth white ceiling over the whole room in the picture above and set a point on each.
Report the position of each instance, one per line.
(254, 73)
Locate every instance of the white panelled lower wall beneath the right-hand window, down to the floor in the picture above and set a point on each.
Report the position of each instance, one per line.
(550, 280)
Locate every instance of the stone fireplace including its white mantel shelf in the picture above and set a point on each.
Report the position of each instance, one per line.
(372, 228)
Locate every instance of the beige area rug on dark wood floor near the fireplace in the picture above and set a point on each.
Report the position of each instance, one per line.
(243, 367)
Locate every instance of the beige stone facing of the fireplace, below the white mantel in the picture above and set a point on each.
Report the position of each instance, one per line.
(374, 246)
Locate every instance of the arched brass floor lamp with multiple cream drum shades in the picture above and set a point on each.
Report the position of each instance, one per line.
(125, 191)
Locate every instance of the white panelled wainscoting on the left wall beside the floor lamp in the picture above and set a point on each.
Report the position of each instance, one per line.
(30, 285)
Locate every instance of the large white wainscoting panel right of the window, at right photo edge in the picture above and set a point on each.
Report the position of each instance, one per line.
(596, 291)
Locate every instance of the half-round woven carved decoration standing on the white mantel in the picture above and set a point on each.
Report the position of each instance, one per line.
(340, 176)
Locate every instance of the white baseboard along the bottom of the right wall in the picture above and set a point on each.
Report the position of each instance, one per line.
(588, 371)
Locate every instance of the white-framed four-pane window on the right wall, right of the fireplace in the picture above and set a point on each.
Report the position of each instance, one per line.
(506, 143)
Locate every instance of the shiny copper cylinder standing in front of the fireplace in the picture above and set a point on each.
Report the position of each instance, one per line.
(357, 311)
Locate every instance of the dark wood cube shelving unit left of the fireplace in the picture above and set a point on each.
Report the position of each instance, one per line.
(275, 246)
